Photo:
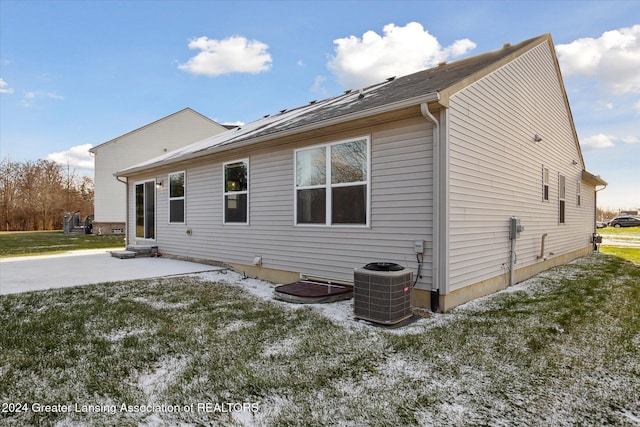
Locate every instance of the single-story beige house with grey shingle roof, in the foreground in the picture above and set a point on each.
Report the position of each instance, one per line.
(425, 170)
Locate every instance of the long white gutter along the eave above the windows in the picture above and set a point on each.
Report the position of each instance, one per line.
(430, 97)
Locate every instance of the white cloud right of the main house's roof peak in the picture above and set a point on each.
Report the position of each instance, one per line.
(613, 59)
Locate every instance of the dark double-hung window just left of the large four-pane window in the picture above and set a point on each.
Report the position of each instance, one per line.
(236, 192)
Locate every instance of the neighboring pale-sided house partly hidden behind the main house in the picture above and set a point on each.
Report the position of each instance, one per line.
(174, 131)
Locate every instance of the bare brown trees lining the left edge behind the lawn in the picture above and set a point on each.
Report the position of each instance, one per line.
(36, 194)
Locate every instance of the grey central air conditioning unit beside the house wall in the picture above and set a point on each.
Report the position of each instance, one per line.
(382, 293)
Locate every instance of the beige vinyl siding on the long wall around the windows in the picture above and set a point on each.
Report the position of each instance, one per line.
(400, 208)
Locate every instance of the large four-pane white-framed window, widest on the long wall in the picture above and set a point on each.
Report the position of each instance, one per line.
(332, 183)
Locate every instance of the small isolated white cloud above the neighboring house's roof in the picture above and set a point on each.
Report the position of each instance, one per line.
(234, 54)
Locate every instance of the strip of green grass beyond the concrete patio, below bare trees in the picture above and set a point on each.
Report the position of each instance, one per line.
(49, 242)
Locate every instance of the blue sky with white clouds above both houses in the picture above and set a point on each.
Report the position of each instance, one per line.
(75, 74)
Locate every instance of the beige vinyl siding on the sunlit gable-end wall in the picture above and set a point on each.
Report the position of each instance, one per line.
(496, 170)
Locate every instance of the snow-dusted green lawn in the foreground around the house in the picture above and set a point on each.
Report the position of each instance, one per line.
(562, 348)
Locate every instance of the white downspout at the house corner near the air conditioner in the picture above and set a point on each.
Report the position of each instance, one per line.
(435, 231)
